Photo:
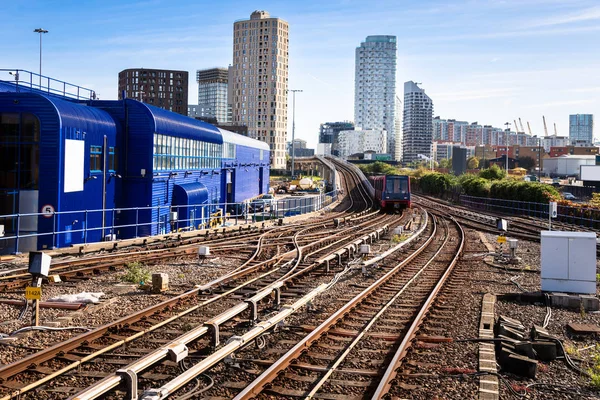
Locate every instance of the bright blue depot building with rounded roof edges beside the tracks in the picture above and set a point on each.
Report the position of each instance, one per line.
(77, 170)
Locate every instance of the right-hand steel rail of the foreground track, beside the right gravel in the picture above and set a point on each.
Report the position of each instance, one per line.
(390, 373)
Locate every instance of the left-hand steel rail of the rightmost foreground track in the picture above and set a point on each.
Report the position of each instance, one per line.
(255, 387)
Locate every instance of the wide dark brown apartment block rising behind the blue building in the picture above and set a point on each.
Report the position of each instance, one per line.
(159, 87)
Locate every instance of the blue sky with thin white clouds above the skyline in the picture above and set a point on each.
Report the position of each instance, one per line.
(489, 61)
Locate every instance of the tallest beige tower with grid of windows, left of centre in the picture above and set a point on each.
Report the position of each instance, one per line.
(259, 76)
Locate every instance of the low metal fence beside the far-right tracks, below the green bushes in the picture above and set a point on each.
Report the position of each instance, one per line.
(582, 216)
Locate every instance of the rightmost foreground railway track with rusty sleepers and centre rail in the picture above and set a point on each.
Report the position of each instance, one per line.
(346, 355)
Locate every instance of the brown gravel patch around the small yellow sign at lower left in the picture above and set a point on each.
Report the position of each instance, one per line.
(120, 299)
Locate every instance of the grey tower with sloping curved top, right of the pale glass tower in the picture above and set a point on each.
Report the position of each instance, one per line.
(417, 125)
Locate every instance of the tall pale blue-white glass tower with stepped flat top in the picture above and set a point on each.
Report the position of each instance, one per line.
(375, 87)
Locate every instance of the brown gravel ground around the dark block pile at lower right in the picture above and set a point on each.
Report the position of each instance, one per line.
(443, 360)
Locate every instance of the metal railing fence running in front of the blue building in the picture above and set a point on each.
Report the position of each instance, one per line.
(86, 226)
